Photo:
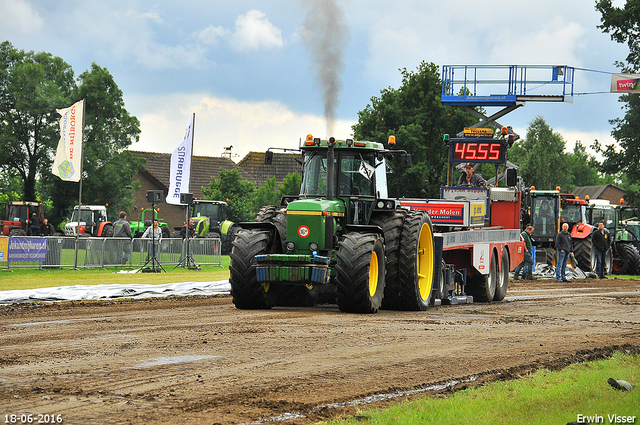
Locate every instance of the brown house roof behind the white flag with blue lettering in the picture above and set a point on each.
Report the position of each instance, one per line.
(202, 169)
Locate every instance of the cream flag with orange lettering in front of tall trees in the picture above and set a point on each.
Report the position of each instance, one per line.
(68, 162)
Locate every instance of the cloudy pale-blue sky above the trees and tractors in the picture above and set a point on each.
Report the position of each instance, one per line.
(247, 68)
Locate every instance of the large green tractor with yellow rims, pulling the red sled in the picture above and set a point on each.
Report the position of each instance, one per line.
(341, 240)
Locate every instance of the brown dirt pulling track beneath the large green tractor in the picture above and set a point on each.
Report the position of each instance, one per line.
(200, 360)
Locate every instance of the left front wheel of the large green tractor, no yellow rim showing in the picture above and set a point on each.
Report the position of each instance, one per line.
(247, 292)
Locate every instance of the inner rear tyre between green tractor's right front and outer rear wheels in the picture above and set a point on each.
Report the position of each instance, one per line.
(391, 225)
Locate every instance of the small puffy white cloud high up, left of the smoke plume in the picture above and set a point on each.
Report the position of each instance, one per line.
(254, 31)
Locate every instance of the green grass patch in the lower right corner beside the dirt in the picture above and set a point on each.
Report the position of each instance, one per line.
(542, 398)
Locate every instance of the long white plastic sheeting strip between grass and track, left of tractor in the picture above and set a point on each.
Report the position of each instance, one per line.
(109, 292)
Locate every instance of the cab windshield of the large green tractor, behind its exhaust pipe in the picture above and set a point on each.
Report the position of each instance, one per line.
(355, 174)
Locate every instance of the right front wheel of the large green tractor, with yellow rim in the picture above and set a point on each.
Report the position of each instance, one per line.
(360, 273)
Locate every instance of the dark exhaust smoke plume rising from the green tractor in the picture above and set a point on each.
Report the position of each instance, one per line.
(326, 34)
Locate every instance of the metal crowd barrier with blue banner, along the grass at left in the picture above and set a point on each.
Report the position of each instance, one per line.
(108, 252)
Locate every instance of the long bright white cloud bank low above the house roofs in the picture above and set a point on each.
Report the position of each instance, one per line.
(248, 126)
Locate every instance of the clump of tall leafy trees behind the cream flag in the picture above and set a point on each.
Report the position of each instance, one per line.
(32, 87)
